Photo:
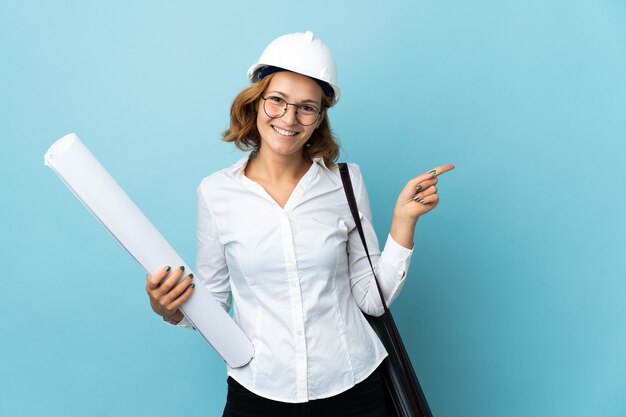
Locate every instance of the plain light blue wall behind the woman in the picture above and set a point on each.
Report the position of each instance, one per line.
(515, 304)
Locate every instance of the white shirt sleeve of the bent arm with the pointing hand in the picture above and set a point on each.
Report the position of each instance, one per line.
(391, 265)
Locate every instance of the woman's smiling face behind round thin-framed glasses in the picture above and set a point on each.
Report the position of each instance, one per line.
(285, 136)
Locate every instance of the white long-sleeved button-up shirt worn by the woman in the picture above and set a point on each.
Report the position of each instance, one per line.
(299, 278)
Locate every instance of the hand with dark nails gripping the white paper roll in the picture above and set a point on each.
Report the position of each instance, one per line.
(167, 294)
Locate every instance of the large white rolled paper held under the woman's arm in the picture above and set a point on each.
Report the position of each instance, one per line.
(70, 159)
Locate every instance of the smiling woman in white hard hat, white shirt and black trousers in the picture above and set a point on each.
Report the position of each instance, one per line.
(275, 235)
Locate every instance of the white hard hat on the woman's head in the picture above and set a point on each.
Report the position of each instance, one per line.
(302, 53)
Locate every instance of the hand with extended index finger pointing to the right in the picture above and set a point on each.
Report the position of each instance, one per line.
(418, 197)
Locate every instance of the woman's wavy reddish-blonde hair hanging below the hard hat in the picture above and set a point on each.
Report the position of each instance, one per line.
(244, 133)
